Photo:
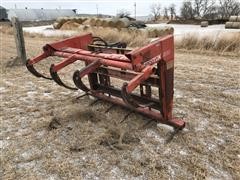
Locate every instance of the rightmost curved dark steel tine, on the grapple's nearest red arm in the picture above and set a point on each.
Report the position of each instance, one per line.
(127, 98)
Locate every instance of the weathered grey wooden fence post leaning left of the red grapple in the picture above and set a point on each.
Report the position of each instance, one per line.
(19, 39)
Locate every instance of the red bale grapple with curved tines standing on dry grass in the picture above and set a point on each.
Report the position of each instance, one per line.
(141, 69)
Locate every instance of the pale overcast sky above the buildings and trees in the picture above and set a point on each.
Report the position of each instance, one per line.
(90, 6)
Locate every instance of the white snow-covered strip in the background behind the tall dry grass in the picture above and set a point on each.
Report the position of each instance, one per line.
(179, 30)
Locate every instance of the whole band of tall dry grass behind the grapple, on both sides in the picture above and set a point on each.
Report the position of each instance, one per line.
(224, 44)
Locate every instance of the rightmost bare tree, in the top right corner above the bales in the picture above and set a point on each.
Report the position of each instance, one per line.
(228, 8)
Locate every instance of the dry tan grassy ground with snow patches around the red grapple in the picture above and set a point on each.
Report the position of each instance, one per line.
(83, 140)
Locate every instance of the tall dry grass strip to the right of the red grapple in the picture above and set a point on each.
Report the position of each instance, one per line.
(227, 42)
